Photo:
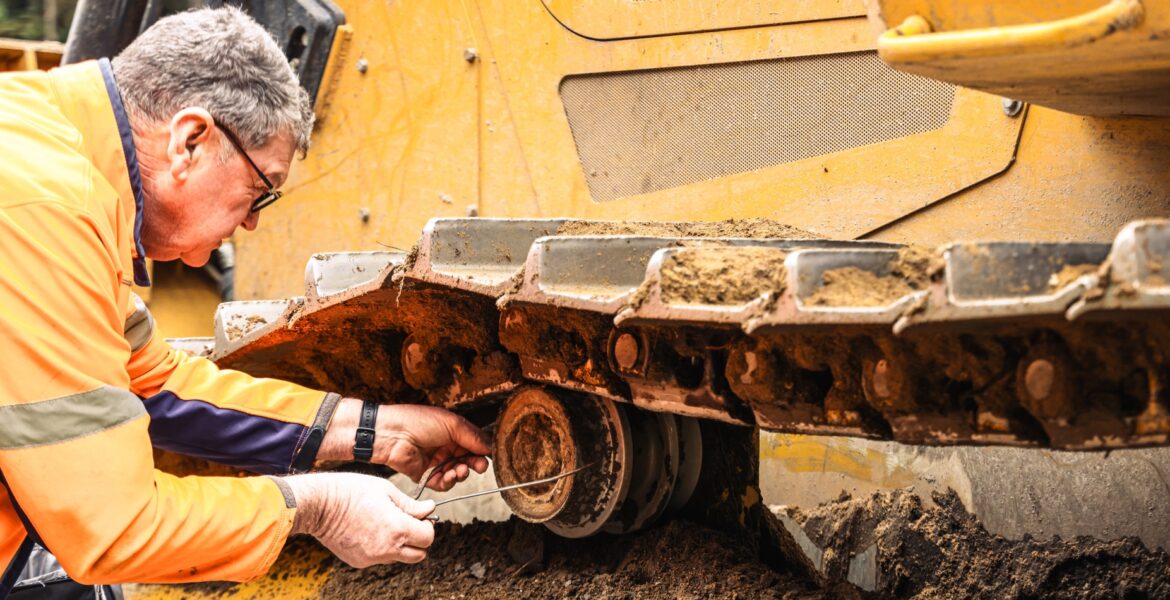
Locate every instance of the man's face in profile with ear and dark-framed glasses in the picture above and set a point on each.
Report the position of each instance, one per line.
(197, 199)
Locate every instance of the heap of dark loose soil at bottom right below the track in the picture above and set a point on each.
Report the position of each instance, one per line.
(944, 551)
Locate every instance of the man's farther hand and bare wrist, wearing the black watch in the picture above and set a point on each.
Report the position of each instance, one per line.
(411, 439)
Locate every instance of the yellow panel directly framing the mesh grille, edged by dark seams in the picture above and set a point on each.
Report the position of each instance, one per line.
(818, 195)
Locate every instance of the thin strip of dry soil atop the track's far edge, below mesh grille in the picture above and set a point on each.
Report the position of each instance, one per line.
(756, 229)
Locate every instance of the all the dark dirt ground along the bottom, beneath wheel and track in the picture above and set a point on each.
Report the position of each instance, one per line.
(924, 551)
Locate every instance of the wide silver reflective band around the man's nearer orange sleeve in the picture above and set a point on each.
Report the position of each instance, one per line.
(61, 419)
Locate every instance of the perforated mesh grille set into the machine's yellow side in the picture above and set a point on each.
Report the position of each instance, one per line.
(644, 132)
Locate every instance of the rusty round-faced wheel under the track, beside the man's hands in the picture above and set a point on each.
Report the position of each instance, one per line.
(541, 435)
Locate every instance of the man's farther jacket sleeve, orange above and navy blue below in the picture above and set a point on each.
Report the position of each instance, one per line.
(260, 425)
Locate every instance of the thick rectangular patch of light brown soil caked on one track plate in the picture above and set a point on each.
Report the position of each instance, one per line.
(706, 277)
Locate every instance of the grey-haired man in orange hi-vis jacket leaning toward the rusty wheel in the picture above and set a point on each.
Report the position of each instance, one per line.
(162, 155)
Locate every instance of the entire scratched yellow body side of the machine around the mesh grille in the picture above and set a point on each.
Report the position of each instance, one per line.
(425, 133)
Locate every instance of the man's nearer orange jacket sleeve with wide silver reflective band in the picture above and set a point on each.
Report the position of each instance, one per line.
(74, 446)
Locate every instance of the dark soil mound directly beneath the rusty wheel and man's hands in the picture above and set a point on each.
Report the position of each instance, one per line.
(519, 560)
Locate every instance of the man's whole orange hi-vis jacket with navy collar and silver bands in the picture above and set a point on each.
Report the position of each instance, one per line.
(86, 389)
